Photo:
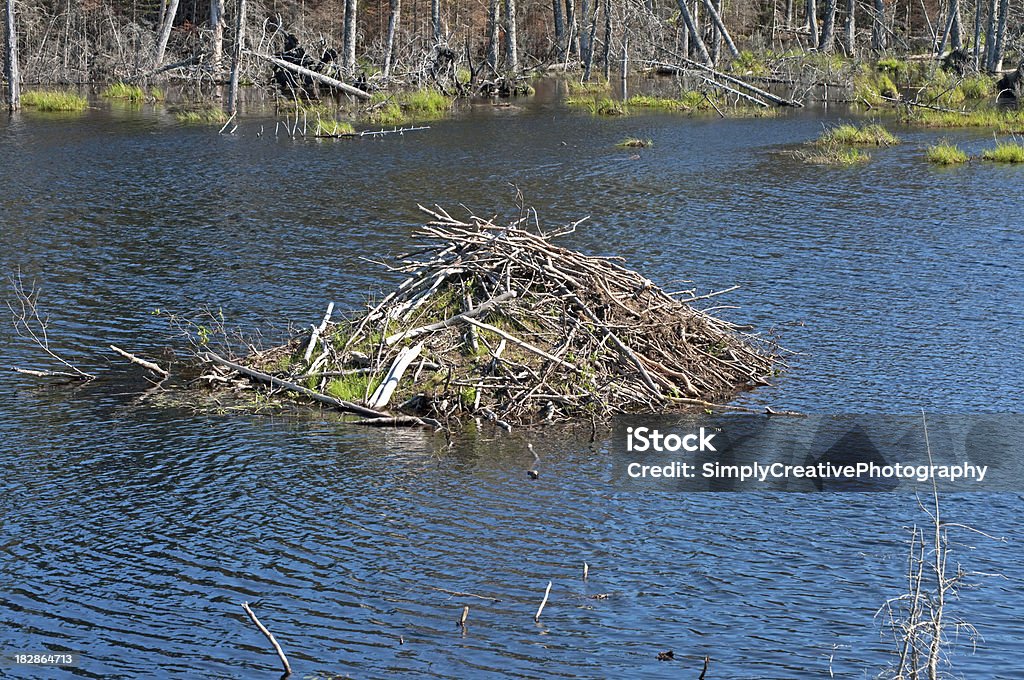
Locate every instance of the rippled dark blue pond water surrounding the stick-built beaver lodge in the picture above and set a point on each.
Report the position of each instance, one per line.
(130, 534)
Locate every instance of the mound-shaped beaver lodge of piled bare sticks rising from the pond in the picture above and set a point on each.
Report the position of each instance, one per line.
(498, 322)
